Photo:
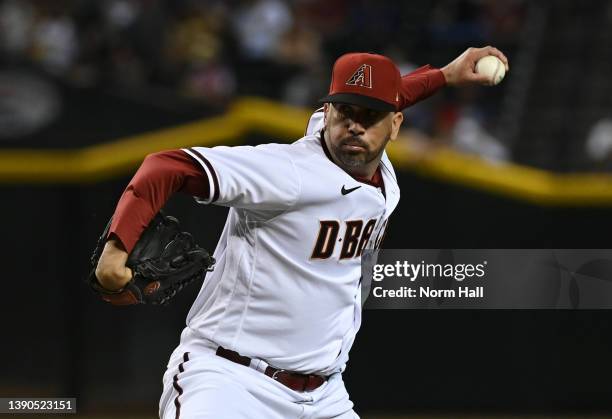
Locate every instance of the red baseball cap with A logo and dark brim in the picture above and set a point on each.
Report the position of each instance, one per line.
(369, 80)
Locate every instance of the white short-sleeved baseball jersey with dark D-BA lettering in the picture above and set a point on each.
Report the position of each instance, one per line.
(286, 286)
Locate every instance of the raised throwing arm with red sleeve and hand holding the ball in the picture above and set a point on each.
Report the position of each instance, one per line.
(427, 80)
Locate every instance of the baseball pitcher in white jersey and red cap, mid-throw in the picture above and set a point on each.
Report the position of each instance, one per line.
(269, 334)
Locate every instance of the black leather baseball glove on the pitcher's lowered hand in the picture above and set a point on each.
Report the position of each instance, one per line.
(163, 261)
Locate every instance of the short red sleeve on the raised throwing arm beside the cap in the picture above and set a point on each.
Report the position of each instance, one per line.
(420, 84)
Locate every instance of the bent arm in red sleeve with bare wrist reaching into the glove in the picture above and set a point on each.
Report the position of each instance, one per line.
(160, 175)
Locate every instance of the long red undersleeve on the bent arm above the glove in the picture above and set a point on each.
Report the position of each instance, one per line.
(159, 176)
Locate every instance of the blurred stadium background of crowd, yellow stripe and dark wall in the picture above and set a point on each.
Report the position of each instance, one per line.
(88, 87)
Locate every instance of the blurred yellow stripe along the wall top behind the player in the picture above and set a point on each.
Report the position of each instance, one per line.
(282, 122)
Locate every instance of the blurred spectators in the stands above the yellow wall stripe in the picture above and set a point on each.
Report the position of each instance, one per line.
(215, 50)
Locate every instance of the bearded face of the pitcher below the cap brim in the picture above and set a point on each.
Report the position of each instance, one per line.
(356, 137)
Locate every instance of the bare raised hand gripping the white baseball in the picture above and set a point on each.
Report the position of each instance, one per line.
(462, 70)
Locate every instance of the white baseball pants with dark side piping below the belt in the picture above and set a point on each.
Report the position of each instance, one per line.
(207, 386)
